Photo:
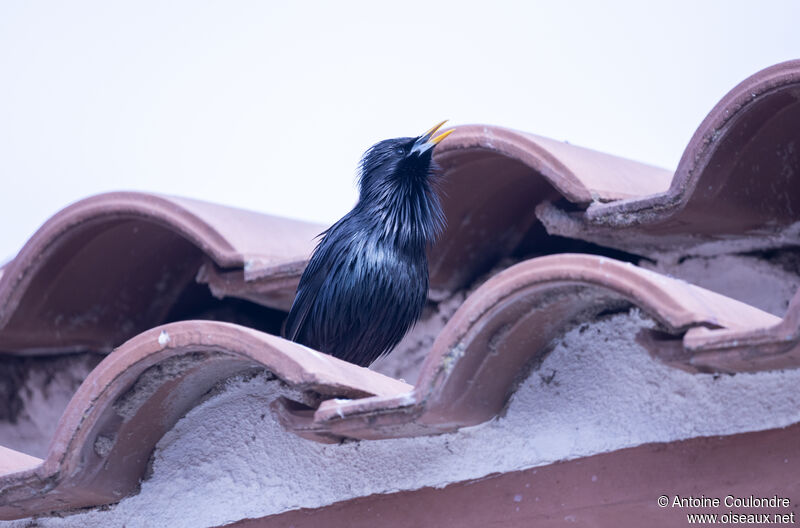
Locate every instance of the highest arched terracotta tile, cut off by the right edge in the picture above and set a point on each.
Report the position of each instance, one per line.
(750, 136)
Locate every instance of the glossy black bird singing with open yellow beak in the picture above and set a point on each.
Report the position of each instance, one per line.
(367, 281)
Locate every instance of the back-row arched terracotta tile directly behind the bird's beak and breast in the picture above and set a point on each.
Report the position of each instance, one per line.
(495, 177)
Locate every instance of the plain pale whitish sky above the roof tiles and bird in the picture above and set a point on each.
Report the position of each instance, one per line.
(269, 106)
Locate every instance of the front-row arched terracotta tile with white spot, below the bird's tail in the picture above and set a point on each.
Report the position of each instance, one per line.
(110, 427)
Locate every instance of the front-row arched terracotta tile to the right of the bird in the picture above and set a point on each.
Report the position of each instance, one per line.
(506, 326)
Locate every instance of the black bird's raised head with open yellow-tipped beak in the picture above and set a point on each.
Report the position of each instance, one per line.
(399, 162)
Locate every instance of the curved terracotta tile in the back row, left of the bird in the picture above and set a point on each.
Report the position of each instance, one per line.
(112, 265)
